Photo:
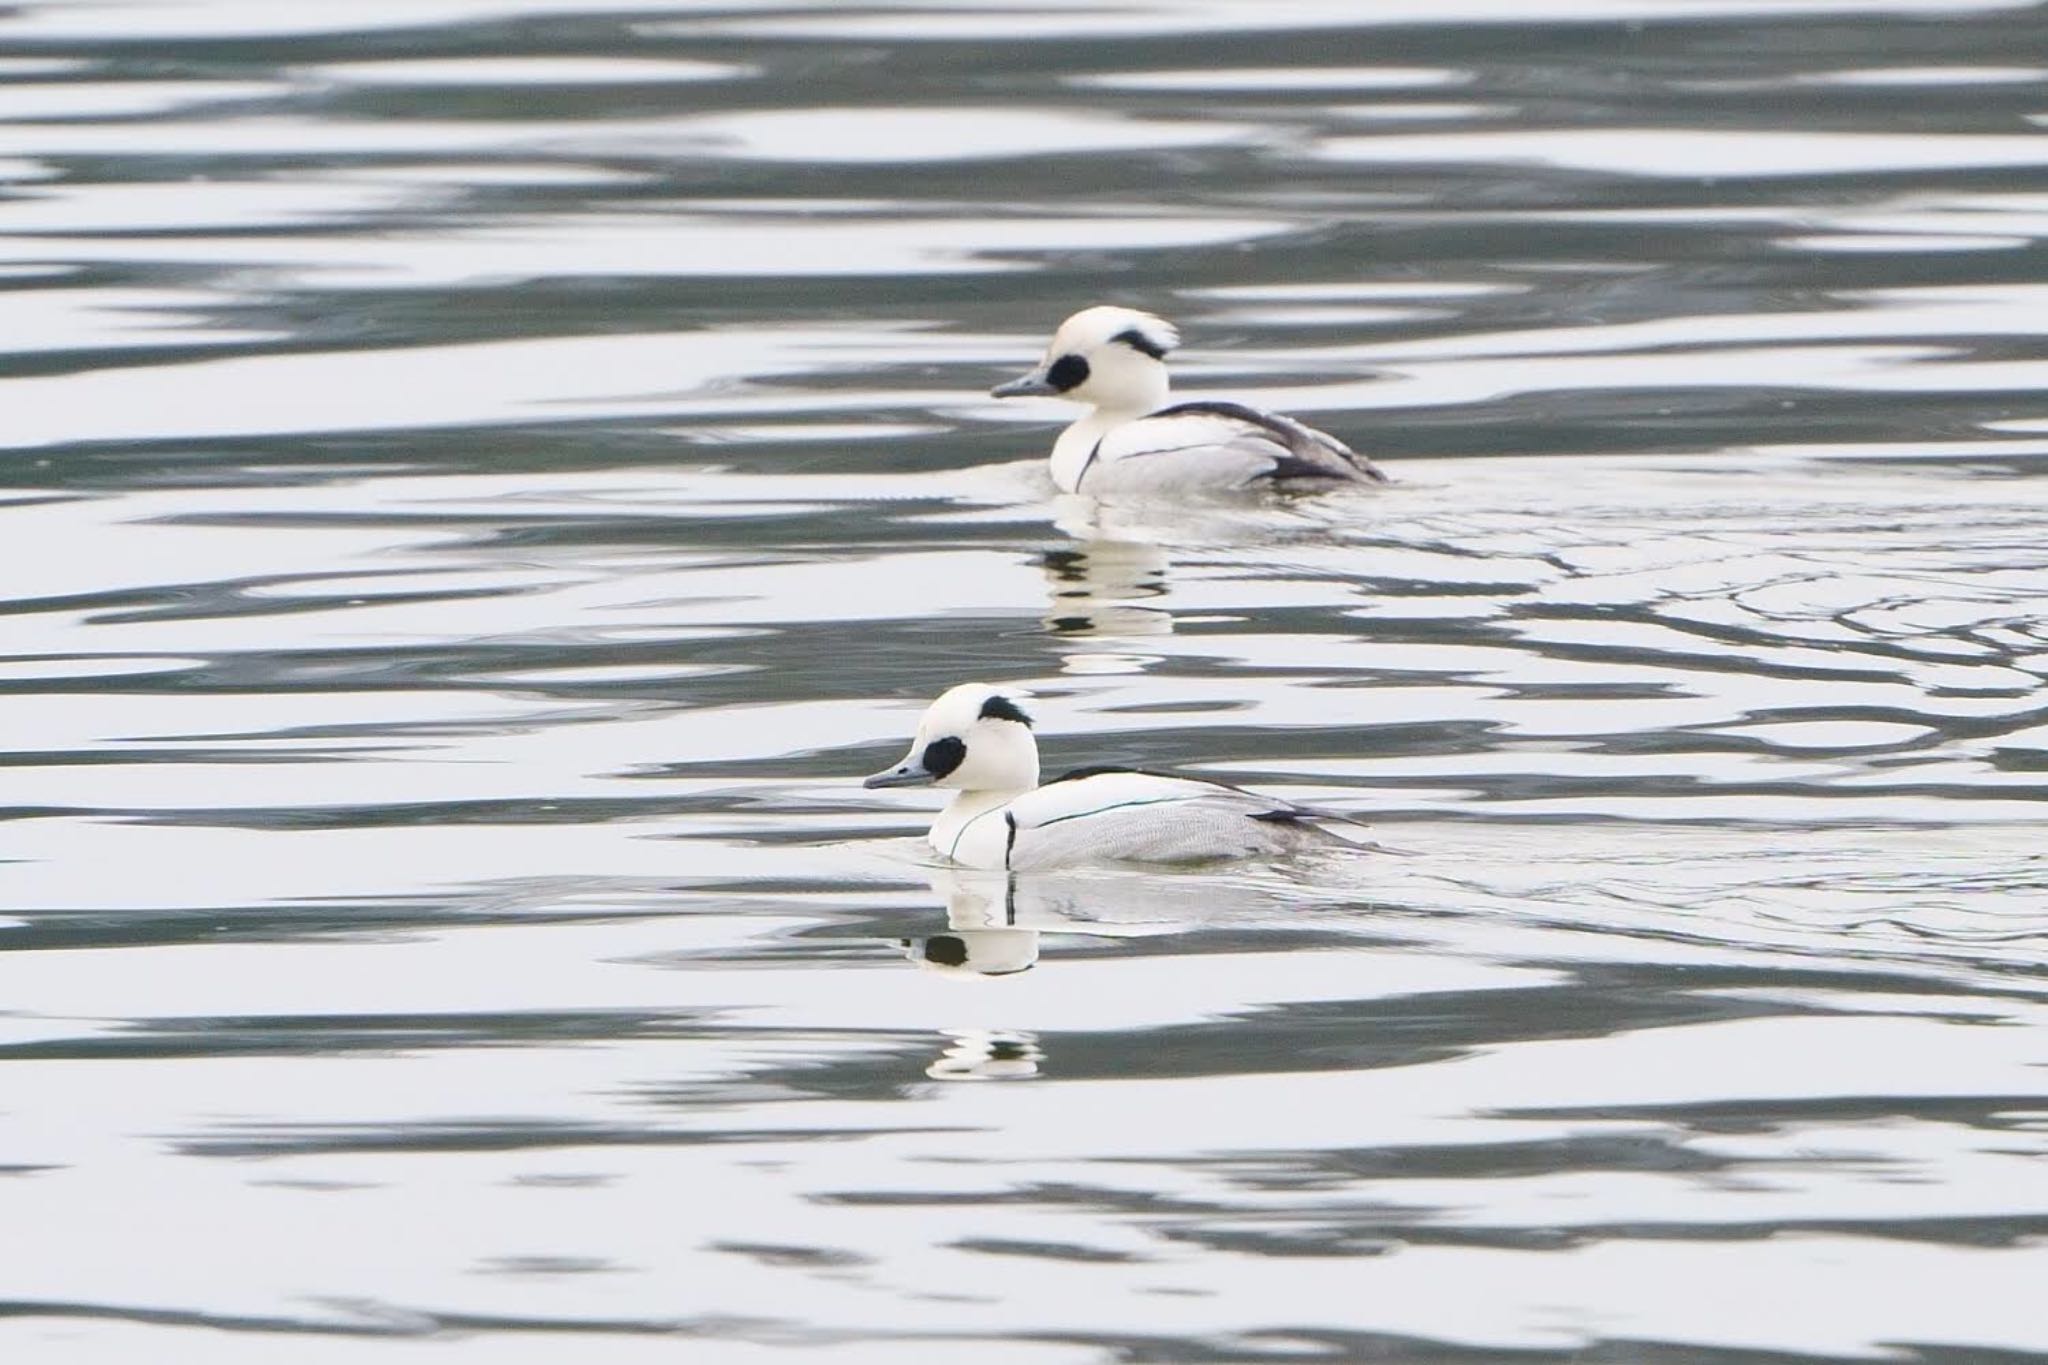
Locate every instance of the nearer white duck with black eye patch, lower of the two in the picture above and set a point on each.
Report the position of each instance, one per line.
(978, 742)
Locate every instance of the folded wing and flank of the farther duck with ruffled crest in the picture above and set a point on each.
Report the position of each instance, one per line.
(1230, 443)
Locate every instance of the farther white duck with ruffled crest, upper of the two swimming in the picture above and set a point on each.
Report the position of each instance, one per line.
(1134, 441)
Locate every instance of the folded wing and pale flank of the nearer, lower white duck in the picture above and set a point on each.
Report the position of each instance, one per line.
(1142, 818)
